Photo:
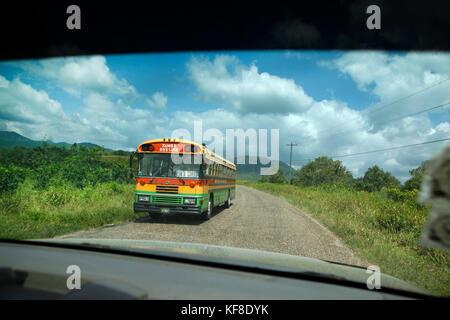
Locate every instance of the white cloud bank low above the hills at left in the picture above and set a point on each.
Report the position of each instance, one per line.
(33, 114)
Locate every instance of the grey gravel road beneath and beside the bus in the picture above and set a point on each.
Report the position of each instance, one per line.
(256, 220)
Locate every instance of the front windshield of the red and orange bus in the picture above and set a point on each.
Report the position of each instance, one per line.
(161, 165)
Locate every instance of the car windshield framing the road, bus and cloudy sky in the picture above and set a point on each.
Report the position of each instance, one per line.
(321, 155)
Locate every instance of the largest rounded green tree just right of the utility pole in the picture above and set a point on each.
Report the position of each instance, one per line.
(322, 171)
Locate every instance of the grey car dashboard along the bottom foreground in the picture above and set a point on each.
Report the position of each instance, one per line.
(30, 271)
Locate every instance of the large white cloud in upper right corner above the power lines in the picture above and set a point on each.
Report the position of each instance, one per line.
(392, 77)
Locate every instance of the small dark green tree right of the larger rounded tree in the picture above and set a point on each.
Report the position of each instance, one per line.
(375, 179)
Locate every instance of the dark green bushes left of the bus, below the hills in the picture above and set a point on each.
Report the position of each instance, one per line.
(46, 166)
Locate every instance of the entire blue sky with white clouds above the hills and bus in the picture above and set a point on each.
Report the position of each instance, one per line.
(323, 100)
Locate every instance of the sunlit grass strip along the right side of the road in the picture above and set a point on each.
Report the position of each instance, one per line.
(379, 230)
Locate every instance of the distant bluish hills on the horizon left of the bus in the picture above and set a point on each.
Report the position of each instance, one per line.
(10, 139)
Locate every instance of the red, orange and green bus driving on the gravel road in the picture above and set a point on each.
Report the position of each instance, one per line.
(201, 182)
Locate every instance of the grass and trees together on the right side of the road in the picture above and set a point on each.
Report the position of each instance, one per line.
(379, 219)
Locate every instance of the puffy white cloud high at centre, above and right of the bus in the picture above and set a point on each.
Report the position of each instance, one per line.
(226, 80)
